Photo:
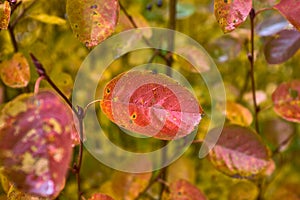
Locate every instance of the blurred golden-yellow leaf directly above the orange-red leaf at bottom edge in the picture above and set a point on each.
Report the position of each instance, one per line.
(183, 168)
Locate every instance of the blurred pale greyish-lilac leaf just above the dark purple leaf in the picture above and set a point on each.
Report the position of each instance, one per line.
(271, 25)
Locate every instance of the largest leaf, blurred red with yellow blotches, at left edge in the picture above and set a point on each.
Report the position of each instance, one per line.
(36, 143)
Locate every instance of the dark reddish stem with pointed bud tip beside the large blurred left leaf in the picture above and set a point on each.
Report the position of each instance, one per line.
(79, 114)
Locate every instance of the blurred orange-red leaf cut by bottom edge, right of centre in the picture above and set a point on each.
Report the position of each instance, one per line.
(183, 190)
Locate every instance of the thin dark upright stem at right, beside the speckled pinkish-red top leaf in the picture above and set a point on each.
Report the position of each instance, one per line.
(251, 60)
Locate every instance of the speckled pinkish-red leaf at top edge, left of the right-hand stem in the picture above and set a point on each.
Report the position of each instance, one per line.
(231, 14)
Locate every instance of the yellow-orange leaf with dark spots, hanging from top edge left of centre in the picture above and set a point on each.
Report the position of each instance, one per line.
(92, 21)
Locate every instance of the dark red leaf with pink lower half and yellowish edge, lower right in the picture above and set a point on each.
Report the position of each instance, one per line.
(240, 152)
